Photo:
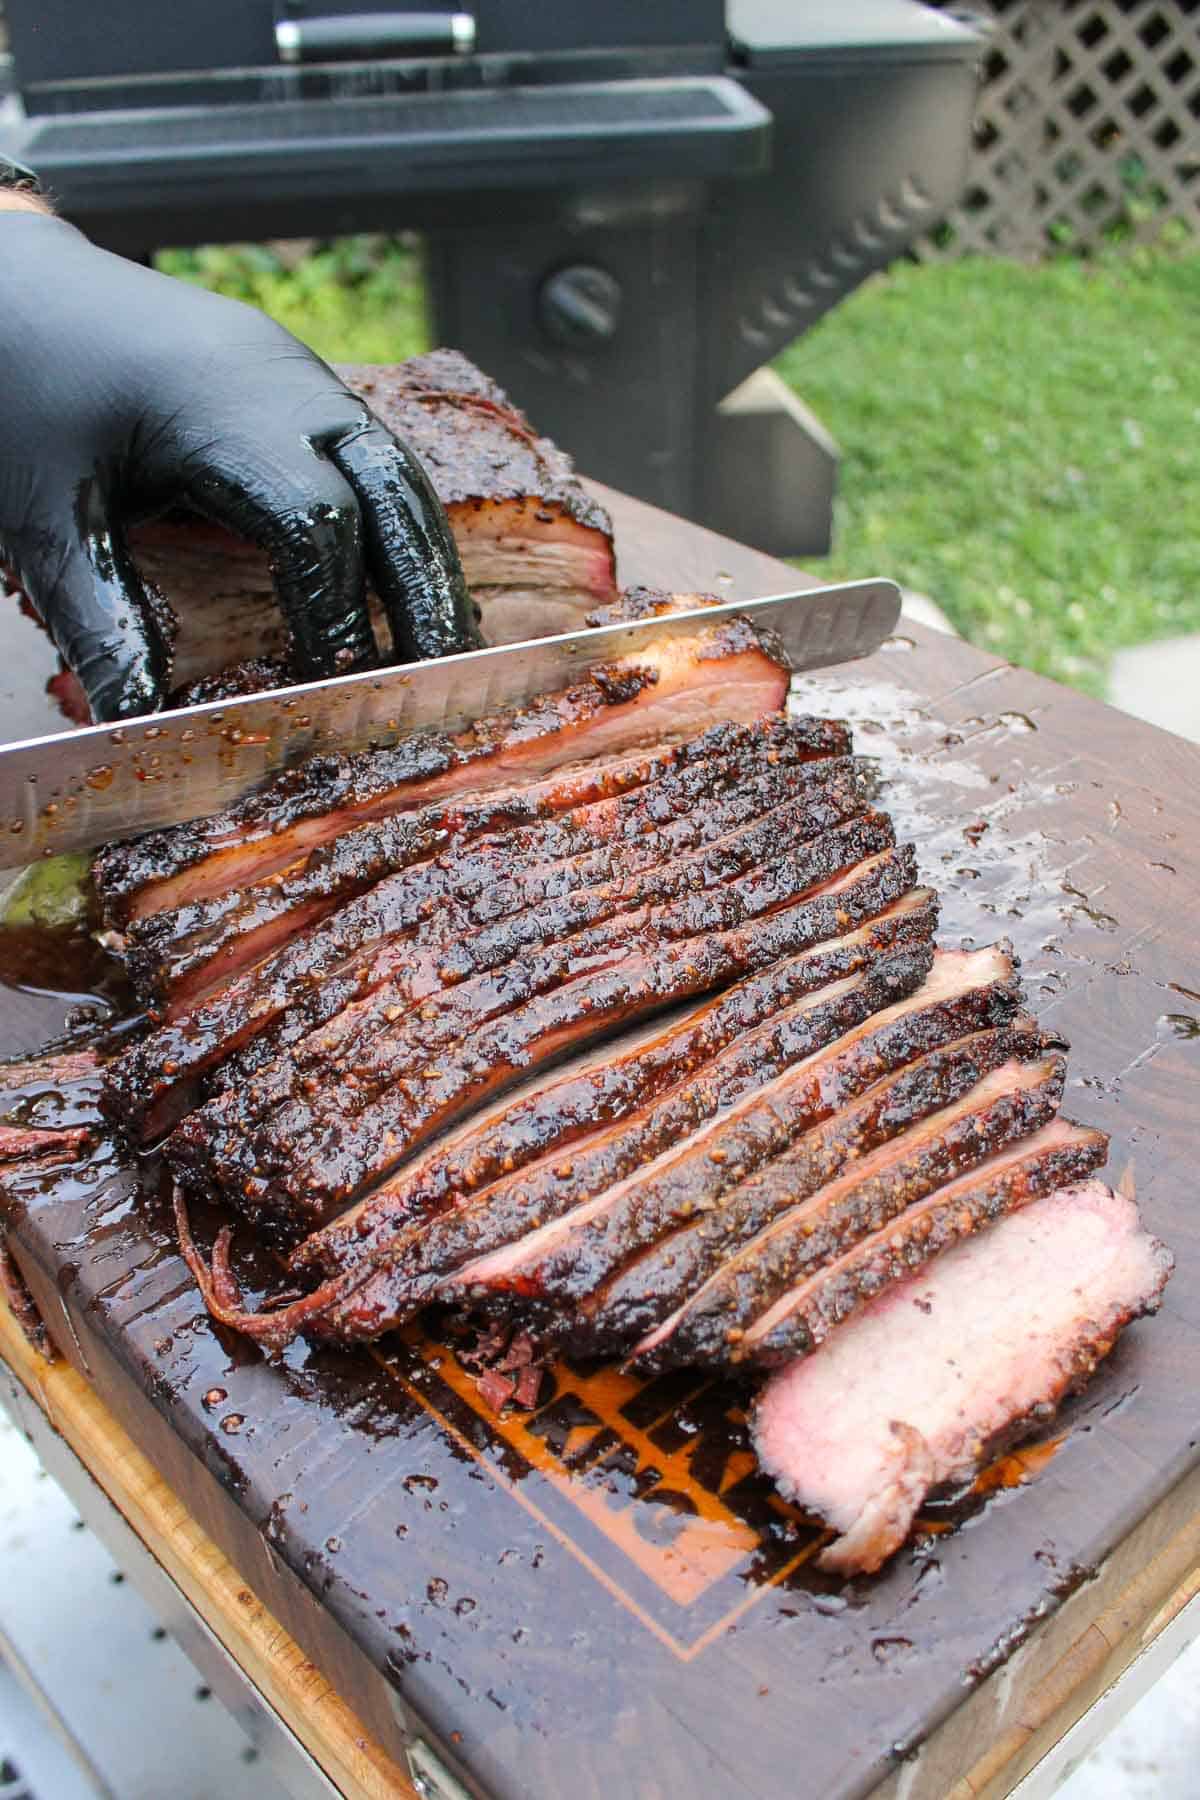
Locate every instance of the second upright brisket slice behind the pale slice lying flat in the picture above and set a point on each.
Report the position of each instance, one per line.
(712, 1324)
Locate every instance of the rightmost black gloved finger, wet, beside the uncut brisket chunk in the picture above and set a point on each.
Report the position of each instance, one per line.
(411, 552)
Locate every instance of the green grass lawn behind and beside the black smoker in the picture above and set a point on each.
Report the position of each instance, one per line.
(1019, 444)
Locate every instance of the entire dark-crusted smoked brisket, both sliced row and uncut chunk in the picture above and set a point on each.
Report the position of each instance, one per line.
(839, 1158)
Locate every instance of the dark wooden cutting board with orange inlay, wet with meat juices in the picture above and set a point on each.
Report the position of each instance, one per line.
(604, 1597)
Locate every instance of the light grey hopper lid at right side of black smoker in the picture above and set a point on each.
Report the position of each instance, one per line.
(771, 33)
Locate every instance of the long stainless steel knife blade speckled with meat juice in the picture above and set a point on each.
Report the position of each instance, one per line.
(87, 787)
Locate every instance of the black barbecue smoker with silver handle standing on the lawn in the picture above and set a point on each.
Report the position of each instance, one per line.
(629, 206)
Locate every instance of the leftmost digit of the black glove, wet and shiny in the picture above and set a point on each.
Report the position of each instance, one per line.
(98, 613)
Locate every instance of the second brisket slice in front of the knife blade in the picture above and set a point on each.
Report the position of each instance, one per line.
(181, 951)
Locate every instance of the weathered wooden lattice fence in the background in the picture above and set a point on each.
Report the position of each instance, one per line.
(1088, 120)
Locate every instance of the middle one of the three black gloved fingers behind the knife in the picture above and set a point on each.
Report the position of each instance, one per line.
(305, 516)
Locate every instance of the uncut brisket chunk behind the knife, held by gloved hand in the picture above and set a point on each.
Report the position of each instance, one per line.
(537, 548)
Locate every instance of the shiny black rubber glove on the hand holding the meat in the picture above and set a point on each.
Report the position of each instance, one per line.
(123, 393)
